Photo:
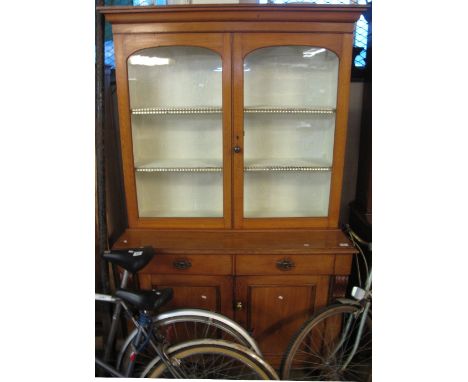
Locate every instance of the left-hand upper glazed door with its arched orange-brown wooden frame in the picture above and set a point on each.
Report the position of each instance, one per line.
(175, 111)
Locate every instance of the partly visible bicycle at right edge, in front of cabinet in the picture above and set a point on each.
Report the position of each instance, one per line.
(335, 343)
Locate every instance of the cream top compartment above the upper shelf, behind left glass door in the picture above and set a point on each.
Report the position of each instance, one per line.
(175, 77)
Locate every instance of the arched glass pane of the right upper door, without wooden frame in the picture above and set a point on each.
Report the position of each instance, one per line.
(289, 124)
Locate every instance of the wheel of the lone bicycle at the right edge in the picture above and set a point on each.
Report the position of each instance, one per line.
(320, 348)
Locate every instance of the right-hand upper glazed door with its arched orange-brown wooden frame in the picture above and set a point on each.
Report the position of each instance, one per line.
(289, 128)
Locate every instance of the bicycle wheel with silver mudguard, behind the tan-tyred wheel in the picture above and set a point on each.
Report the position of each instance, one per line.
(181, 326)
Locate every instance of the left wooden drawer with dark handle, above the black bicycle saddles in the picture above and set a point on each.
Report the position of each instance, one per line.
(190, 264)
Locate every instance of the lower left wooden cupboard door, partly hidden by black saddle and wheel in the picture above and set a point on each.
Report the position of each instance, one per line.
(212, 293)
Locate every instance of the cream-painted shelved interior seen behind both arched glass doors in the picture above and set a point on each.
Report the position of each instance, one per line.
(274, 77)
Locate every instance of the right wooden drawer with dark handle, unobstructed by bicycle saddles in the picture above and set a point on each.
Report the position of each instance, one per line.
(284, 264)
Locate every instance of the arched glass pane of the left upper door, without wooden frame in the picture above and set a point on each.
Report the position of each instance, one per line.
(177, 131)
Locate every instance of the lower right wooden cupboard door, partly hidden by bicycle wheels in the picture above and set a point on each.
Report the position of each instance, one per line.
(272, 308)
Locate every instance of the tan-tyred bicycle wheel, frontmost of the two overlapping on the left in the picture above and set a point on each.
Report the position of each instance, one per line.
(211, 359)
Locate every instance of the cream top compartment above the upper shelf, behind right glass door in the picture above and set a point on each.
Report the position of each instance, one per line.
(291, 76)
